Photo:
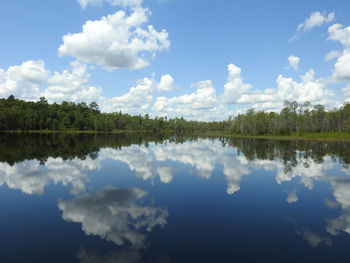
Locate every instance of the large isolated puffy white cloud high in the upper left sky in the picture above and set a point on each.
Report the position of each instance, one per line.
(116, 41)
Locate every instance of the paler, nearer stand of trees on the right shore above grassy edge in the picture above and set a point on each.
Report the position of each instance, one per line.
(294, 118)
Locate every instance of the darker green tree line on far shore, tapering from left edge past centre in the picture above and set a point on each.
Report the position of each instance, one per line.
(20, 115)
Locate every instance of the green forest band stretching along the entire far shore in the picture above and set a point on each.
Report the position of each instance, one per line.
(294, 118)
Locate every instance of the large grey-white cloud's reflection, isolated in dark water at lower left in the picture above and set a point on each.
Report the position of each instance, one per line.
(114, 214)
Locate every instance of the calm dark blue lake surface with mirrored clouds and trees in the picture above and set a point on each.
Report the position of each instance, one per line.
(149, 198)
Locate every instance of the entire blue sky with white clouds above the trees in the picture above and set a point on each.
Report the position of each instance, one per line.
(201, 60)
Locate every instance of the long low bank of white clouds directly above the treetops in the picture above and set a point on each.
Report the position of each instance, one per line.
(31, 80)
